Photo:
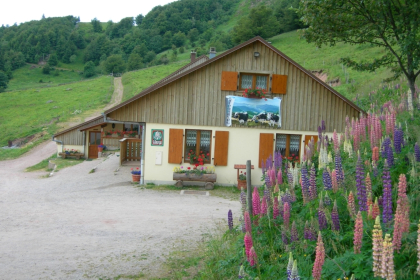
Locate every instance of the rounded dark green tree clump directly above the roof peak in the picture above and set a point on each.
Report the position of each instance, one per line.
(259, 22)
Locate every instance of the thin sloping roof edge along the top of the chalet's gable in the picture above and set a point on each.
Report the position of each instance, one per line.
(169, 79)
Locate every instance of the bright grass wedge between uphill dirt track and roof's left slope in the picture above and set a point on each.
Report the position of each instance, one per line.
(136, 81)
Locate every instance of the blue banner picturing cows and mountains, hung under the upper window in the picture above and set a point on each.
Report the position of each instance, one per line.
(250, 112)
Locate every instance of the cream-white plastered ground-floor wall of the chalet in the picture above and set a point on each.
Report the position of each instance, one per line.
(243, 146)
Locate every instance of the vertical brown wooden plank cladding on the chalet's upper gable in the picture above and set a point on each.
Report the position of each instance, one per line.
(196, 97)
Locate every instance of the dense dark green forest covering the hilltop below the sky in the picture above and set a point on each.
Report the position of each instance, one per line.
(136, 41)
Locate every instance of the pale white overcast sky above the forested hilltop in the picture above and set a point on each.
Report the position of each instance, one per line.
(16, 11)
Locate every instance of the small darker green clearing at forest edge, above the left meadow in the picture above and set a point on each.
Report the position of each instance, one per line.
(27, 78)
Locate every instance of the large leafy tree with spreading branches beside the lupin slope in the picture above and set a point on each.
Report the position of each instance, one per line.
(393, 26)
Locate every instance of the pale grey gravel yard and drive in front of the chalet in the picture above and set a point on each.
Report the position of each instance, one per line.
(77, 225)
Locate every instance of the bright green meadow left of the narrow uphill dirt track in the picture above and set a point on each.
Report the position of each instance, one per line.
(33, 111)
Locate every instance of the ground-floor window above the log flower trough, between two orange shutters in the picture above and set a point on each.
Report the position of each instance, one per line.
(197, 142)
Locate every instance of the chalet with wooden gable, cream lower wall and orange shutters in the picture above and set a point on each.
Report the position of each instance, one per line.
(200, 109)
